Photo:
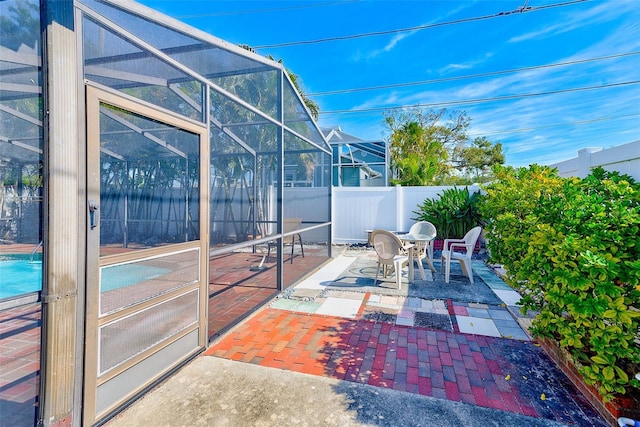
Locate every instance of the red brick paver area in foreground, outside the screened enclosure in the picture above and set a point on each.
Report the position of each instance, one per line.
(497, 373)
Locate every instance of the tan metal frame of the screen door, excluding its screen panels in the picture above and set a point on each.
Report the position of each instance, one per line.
(95, 97)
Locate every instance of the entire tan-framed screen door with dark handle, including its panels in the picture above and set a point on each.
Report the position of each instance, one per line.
(146, 247)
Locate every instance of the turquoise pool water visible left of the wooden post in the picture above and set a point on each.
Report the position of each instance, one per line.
(18, 275)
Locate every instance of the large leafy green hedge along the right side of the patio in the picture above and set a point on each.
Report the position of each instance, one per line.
(571, 247)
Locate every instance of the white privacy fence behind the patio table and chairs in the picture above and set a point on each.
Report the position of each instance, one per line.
(356, 209)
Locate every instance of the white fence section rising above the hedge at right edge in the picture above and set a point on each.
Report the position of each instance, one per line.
(622, 158)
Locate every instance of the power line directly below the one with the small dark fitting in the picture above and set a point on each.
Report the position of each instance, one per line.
(470, 76)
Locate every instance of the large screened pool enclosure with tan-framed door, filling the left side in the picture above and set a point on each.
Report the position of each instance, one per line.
(158, 185)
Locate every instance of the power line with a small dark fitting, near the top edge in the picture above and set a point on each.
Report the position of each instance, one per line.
(419, 27)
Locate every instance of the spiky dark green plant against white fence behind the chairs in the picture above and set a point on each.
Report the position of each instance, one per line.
(453, 214)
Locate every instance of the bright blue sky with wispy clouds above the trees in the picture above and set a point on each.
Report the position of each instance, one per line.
(550, 112)
